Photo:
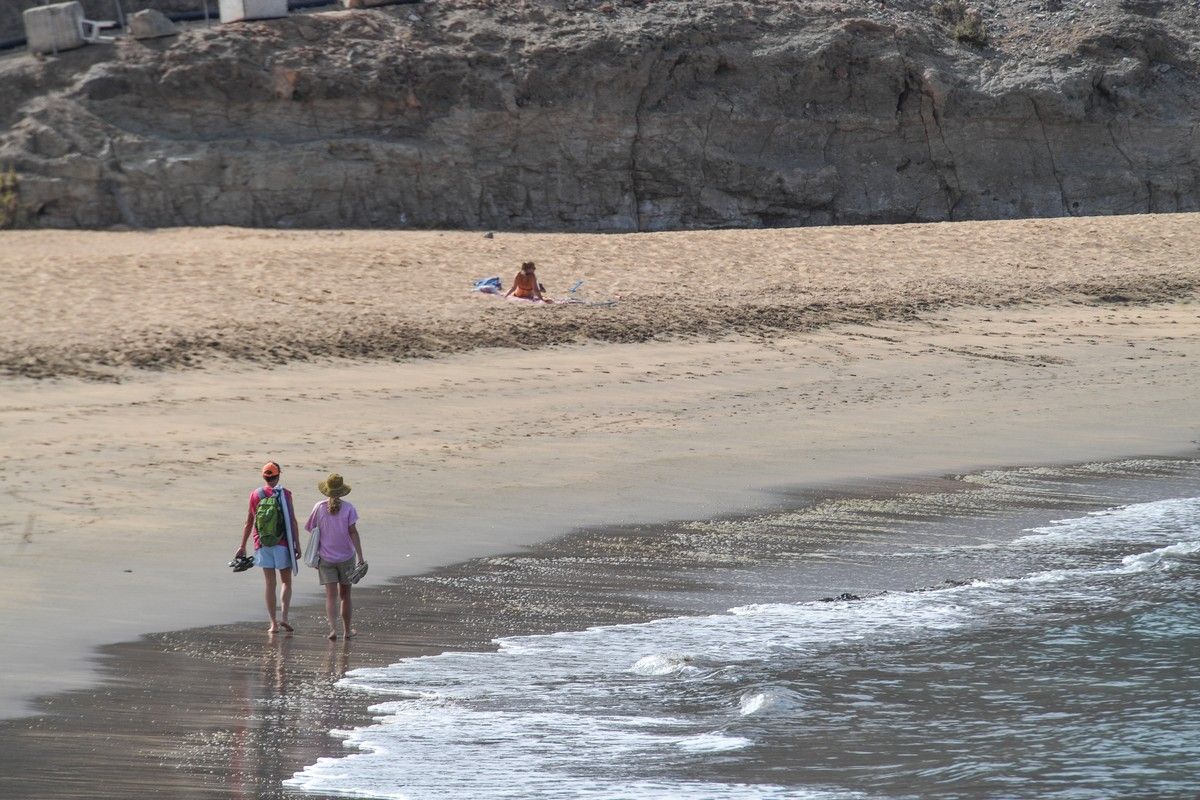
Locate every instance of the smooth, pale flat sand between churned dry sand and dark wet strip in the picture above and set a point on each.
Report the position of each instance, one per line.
(640, 434)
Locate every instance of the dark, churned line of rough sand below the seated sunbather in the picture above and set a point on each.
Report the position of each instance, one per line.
(377, 336)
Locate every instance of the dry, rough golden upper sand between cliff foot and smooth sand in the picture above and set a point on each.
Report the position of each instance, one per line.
(88, 304)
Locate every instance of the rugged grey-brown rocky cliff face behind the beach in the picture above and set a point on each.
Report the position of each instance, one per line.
(635, 116)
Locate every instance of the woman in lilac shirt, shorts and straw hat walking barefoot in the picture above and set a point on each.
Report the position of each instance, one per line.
(338, 551)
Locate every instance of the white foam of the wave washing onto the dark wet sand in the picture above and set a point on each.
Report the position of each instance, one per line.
(590, 714)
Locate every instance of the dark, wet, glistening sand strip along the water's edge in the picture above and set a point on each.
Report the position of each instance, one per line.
(230, 712)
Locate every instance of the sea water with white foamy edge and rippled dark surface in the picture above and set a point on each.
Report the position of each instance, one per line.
(1076, 673)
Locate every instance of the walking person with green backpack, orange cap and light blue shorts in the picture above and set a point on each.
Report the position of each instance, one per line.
(272, 546)
